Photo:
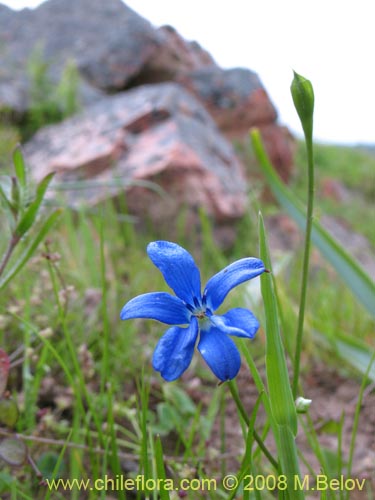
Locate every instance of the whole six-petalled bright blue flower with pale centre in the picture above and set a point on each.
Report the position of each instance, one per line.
(175, 349)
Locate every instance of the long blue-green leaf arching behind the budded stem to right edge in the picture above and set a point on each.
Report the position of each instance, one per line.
(348, 268)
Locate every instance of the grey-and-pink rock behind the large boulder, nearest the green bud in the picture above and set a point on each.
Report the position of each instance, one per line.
(237, 101)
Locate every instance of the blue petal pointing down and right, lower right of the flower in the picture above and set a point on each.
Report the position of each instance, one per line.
(220, 353)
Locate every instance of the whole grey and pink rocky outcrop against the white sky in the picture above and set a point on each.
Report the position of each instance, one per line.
(151, 130)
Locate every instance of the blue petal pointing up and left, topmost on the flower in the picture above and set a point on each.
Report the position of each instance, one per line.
(178, 268)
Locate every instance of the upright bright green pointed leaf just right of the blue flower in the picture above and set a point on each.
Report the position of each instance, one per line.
(281, 399)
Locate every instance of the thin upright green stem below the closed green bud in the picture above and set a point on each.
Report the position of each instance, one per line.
(306, 259)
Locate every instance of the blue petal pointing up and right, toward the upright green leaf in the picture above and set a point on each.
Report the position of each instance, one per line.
(222, 283)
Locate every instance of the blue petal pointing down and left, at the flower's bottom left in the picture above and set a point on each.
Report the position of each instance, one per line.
(174, 351)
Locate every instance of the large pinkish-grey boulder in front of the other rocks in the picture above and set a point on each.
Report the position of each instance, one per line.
(156, 133)
